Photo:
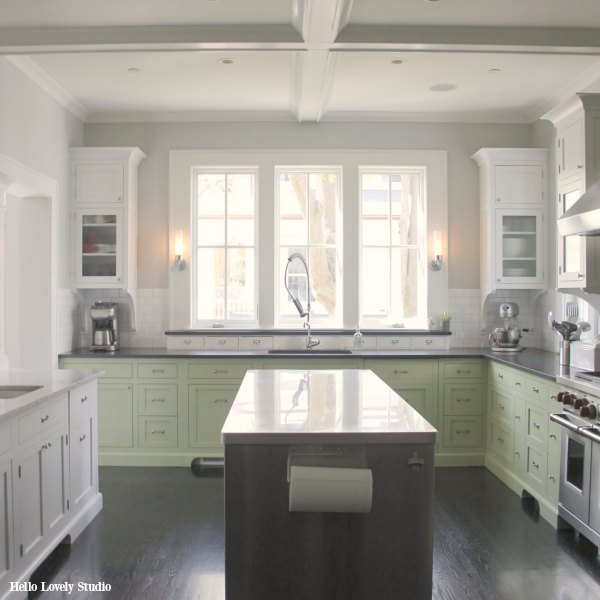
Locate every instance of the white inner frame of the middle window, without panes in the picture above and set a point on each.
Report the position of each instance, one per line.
(296, 322)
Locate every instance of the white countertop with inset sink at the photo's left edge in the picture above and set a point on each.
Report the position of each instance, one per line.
(49, 384)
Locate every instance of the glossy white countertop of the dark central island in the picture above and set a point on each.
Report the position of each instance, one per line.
(324, 407)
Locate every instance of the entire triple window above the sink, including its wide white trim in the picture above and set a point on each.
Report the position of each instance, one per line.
(362, 219)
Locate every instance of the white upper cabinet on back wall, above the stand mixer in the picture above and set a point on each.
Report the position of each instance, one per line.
(513, 198)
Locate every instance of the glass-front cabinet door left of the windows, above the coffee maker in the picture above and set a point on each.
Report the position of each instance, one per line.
(99, 241)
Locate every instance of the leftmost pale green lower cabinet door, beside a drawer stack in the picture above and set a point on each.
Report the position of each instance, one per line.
(115, 415)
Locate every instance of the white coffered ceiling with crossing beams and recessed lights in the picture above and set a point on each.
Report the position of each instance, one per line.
(306, 60)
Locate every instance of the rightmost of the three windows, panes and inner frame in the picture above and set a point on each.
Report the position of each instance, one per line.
(393, 276)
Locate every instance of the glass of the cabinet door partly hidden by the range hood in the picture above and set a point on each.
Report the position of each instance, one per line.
(571, 248)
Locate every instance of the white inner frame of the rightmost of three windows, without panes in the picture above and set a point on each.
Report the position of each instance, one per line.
(422, 236)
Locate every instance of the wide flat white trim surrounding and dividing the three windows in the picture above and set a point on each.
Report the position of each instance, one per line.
(181, 162)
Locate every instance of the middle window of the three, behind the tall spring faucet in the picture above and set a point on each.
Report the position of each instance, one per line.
(308, 202)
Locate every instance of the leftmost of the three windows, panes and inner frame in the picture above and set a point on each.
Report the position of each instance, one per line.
(223, 237)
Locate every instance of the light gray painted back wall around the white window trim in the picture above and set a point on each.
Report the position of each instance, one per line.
(460, 140)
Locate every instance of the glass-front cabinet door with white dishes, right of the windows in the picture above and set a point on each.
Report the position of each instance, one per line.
(519, 247)
